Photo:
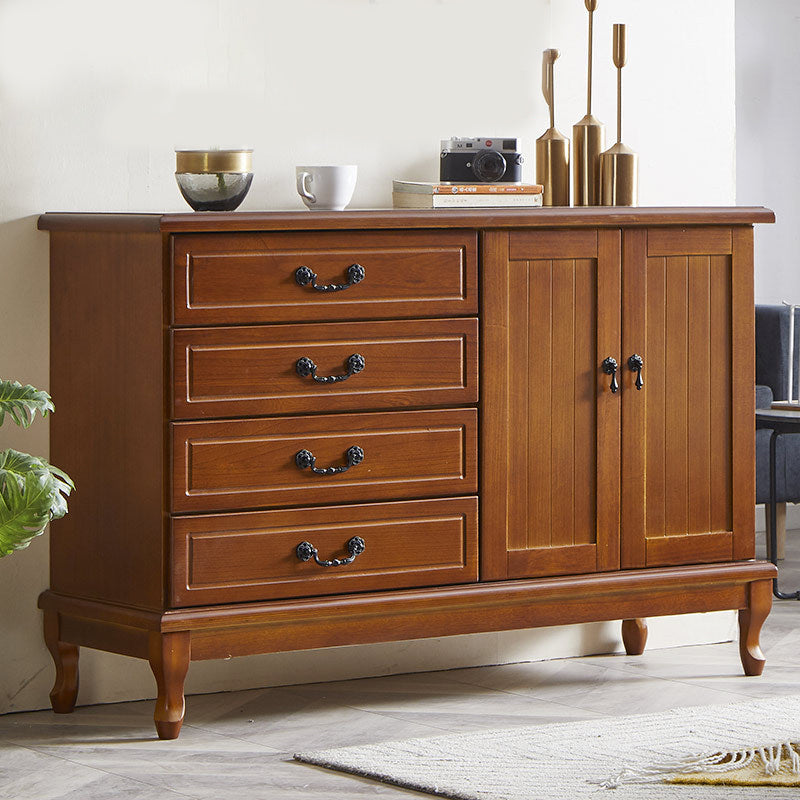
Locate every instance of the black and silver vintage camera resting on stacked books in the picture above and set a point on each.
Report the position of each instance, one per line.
(480, 161)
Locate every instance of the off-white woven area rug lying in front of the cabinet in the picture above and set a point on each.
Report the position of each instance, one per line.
(616, 757)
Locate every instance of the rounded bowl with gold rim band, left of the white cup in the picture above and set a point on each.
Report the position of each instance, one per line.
(214, 180)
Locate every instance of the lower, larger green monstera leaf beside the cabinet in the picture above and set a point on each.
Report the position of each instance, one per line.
(32, 492)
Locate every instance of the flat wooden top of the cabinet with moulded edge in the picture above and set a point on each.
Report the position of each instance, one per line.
(387, 219)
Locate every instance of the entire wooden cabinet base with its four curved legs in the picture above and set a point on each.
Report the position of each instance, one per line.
(170, 640)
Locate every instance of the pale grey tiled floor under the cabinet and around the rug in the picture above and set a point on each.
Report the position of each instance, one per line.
(240, 744)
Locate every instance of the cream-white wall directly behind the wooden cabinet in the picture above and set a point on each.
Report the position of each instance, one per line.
(94, 96)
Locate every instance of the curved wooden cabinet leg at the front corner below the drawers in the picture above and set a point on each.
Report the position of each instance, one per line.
(169, 659)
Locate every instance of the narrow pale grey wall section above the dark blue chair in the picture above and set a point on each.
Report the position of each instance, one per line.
(767, 151)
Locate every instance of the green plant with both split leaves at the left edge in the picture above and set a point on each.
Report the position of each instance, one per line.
(32, 492)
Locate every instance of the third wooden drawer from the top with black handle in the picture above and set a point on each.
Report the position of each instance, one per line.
(243, 464)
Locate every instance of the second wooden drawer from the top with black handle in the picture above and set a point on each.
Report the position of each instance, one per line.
(253, 371)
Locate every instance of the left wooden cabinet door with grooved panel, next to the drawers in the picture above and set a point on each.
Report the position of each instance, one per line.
(549, 422)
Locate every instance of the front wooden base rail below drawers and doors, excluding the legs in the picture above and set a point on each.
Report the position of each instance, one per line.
(509, 605)
